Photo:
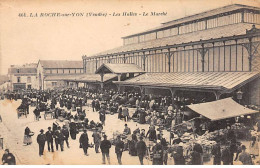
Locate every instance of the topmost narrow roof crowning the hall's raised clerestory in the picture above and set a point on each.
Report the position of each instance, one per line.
(195, 17)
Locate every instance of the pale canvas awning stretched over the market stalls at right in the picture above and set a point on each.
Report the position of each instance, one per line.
(221, 109)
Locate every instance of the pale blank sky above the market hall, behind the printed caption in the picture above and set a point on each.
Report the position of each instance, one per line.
(26, 40)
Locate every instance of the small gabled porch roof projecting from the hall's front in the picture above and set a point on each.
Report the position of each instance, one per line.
(119, 68)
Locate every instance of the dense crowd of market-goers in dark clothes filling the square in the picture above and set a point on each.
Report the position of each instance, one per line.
(160, 112)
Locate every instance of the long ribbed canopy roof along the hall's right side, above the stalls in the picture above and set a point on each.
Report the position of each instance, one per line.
(224, 82)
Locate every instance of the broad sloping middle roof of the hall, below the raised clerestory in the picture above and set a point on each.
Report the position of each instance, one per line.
(213, 33)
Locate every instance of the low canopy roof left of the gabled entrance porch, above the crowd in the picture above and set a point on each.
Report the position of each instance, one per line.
(87, 78)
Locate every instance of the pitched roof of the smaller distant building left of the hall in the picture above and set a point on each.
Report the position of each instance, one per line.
(61, 64)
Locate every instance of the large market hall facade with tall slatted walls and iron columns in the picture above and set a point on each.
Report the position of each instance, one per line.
(222, 42)
